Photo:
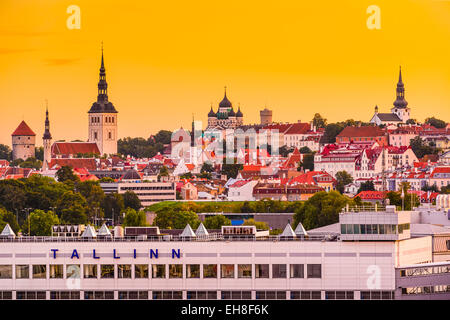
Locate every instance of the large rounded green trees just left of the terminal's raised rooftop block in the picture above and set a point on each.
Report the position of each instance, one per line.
(320, 210)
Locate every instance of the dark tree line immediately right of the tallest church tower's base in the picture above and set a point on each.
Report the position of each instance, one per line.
(144, 148)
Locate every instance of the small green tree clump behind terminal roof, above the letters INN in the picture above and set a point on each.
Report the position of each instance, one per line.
(174, 219)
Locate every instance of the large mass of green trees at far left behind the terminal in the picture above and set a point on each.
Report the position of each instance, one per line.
(35, 200)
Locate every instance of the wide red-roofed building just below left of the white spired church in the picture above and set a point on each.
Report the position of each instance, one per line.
(362, 134)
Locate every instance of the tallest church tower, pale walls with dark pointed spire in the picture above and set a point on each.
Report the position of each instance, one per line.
(103, 118)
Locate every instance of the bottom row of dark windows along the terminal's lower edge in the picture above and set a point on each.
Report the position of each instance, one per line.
(205, 295)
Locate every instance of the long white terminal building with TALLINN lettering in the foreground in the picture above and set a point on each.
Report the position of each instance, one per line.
(374, 254)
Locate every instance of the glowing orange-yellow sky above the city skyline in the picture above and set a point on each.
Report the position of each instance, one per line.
(168, 59)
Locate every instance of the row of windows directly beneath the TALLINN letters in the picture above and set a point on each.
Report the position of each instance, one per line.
(158, 271)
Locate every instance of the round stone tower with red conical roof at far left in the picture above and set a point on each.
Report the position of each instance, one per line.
(23, 142)
